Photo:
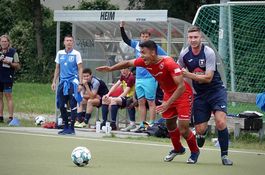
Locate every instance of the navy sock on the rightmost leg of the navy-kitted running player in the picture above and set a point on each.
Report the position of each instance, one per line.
(223, 138)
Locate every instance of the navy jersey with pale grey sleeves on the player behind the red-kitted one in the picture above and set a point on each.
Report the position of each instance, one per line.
(199, 64)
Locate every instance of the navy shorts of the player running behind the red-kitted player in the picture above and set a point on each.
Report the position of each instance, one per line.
(206, 103)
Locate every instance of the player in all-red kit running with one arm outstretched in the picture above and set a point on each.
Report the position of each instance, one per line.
(177, 100)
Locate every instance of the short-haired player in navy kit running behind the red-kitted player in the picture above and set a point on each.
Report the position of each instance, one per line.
(211, 95)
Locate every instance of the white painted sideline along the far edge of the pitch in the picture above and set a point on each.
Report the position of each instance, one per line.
(119, 141)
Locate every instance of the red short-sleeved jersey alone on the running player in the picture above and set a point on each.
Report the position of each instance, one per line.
(163, 71)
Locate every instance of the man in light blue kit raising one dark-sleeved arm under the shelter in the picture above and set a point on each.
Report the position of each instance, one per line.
(146, 84)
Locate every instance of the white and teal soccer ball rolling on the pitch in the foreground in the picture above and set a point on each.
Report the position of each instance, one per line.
(81, 156)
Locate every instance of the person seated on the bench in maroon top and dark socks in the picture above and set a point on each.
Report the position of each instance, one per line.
(127, 81)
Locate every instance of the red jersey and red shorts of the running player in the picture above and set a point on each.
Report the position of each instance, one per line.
(163, 72)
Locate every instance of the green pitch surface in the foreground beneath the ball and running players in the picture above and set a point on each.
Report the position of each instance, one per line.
(40, 154)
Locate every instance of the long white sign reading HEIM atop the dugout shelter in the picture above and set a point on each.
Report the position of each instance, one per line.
(110, 15)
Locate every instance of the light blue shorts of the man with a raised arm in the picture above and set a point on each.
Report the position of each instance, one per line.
(146, 88)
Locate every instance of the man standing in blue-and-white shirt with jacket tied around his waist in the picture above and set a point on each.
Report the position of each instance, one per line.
(69, 70)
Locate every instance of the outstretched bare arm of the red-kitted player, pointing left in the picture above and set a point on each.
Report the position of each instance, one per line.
(118, 66)
